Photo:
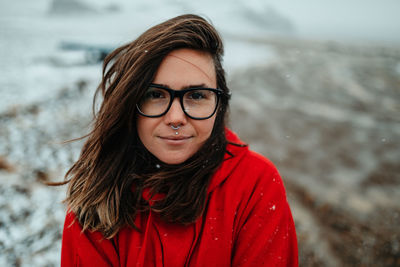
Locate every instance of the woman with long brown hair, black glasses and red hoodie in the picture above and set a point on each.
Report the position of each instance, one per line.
(161, 181)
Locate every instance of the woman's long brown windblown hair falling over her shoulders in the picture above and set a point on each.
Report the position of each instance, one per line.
(106, 183)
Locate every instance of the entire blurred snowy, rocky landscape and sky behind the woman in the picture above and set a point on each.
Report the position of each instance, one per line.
(316, 88)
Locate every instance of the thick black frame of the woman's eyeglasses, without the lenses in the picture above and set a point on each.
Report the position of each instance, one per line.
(180, 94)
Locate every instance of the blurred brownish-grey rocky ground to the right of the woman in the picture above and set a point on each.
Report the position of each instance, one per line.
(328, 115)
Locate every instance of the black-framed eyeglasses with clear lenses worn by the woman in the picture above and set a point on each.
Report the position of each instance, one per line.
(197, 103)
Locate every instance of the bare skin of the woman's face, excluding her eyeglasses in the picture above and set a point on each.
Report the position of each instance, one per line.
(180, 69)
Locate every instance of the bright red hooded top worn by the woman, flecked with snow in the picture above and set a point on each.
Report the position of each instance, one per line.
(247, 222)
